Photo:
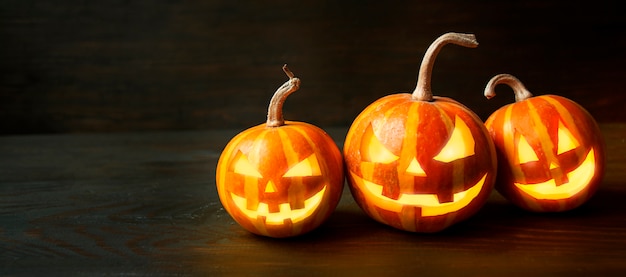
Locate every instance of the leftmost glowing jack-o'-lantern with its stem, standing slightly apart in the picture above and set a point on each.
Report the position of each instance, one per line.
(281, 178)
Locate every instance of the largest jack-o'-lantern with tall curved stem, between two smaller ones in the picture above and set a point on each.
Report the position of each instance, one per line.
(419, 162)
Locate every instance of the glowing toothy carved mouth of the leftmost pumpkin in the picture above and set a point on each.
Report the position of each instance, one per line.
(285, 212)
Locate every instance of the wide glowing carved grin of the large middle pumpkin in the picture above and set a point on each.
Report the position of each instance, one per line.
(429, 203)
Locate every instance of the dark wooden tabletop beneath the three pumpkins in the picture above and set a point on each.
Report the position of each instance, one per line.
(146, 204)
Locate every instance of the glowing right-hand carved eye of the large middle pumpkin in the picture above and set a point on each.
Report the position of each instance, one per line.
(460, 144)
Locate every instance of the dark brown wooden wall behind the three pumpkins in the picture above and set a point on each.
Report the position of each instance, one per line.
(111, 66)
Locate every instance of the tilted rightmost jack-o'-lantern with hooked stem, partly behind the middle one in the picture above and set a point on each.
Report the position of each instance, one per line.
(550, 152)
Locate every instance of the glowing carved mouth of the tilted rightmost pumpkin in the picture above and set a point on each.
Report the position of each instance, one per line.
(578, 178)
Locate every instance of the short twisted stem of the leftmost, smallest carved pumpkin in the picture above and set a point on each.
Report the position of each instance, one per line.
(275, 109)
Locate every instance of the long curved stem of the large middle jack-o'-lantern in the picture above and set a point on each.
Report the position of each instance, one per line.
(423, 90)
